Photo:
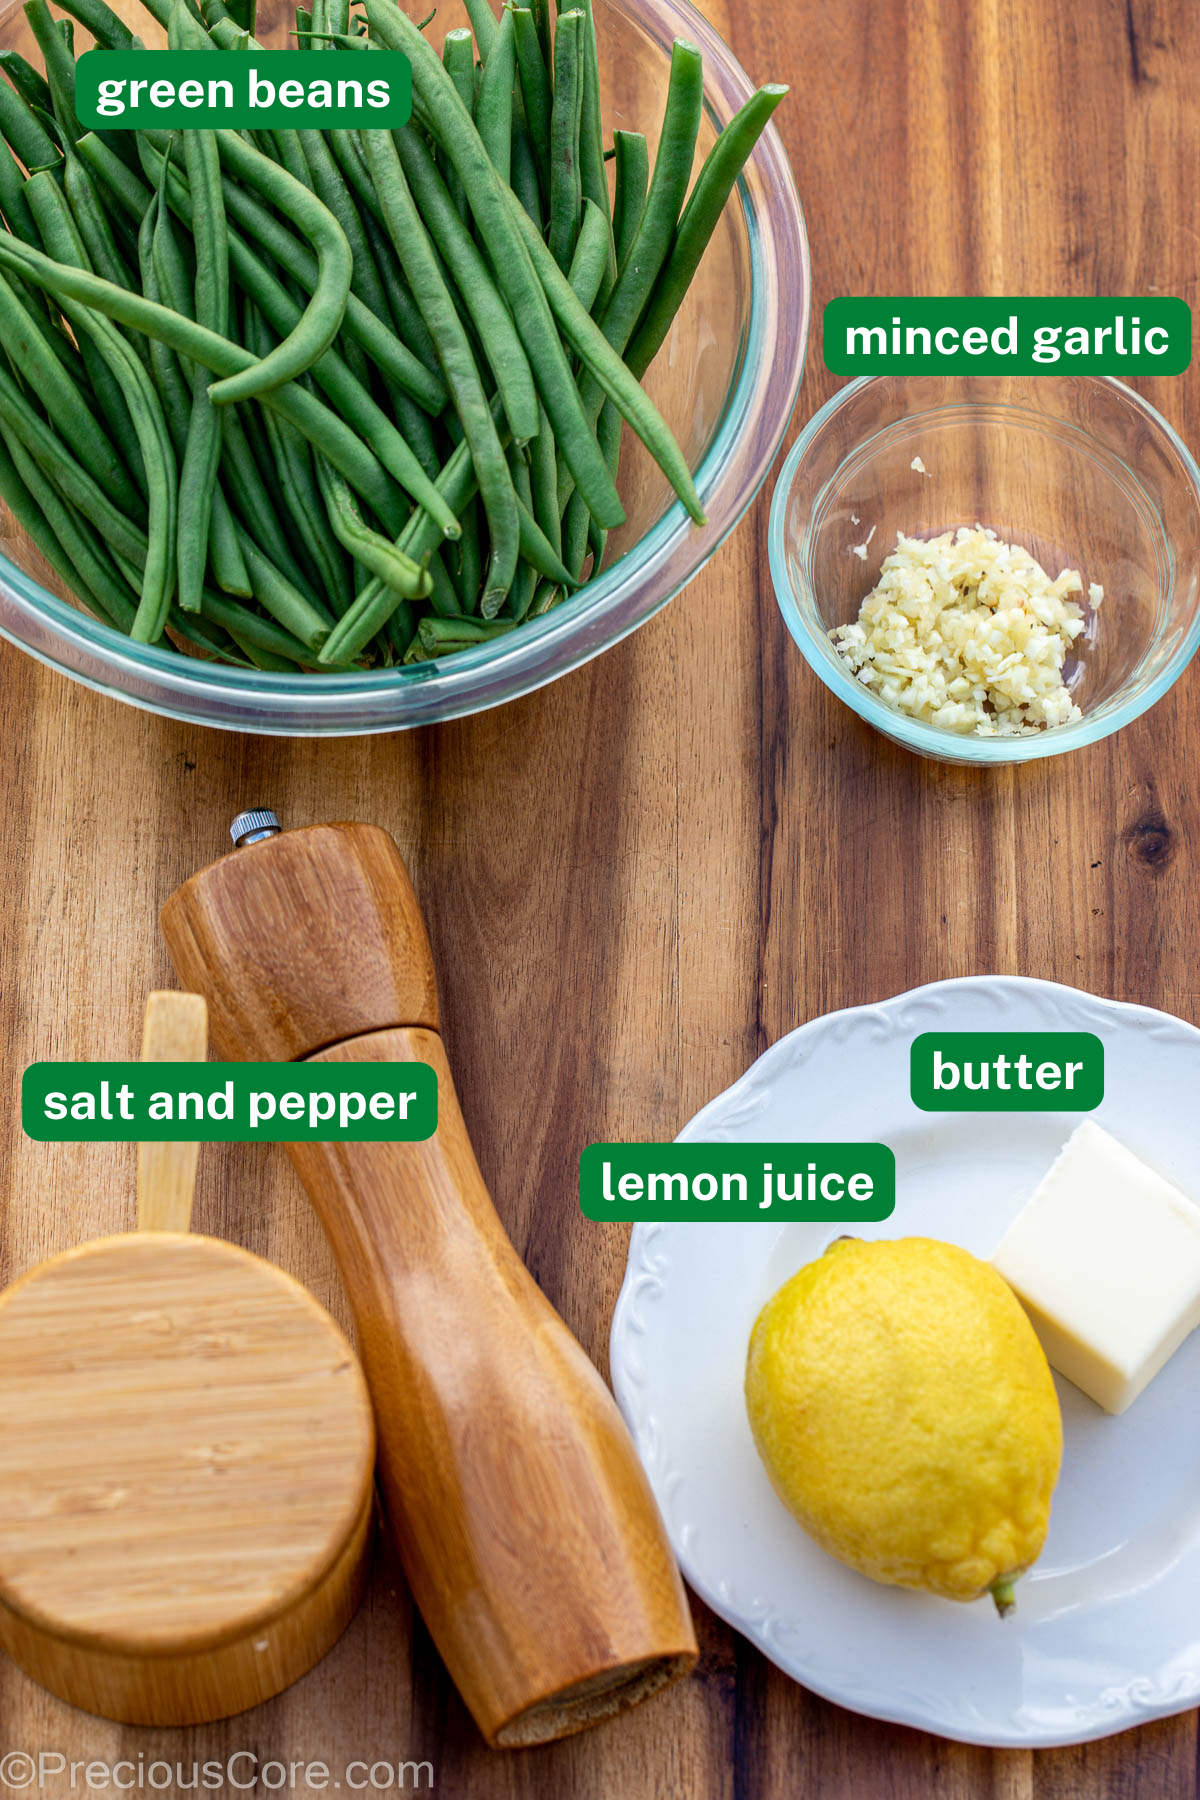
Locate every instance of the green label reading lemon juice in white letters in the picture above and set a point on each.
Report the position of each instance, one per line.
(739, 1182)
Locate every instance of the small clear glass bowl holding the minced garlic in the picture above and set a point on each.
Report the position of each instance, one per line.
(1082, 472)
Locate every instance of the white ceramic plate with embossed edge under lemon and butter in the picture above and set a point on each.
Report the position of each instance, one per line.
(1107, 1626)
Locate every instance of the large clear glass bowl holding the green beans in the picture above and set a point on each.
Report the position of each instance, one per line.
(726, 381)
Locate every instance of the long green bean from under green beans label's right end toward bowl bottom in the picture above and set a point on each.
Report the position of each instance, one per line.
(429, 289)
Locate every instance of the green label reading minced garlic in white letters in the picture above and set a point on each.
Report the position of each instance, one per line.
(1032, 336)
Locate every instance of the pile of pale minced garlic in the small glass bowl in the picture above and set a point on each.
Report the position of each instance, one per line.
(971, 634)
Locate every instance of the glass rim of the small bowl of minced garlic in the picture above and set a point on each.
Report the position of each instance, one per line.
(918, 735)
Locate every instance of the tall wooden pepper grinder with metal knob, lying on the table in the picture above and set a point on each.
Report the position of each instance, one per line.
(523, 1516)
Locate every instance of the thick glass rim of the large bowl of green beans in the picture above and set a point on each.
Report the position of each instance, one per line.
(659, 564)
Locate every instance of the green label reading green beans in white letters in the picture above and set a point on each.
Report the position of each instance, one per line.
(156, 91)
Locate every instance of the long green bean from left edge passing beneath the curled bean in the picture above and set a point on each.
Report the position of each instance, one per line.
(323, 427)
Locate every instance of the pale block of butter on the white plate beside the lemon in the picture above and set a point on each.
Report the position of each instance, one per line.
(1107, 1263)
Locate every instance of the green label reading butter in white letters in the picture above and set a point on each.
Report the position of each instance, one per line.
(1008, 1072)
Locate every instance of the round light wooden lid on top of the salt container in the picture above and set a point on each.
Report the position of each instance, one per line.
(186, 1444)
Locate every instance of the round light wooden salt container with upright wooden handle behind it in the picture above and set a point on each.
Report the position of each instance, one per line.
(186, 1459)
